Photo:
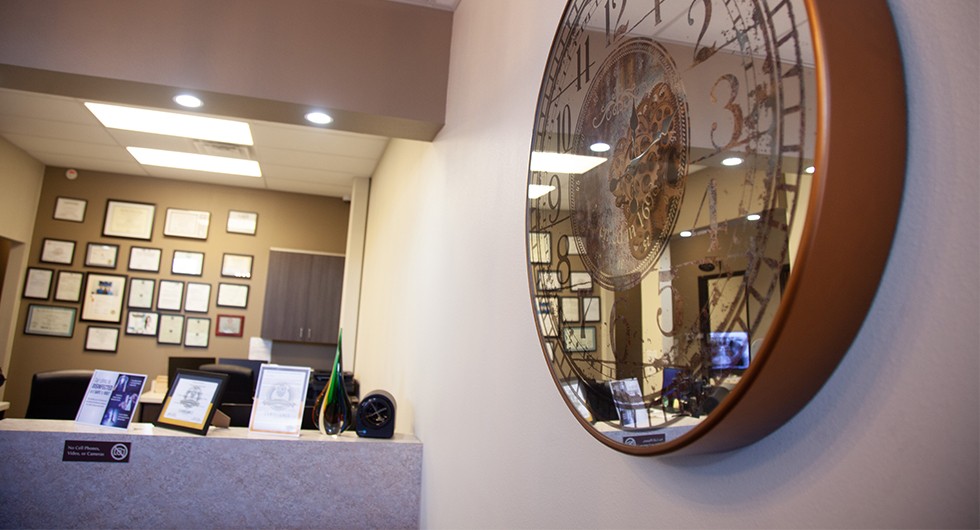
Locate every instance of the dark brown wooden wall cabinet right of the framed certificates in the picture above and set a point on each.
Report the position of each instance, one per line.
(302, 297)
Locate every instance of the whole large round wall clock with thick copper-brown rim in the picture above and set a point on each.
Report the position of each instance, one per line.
(713, 190)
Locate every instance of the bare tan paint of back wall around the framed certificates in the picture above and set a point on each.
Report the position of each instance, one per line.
(285, 220)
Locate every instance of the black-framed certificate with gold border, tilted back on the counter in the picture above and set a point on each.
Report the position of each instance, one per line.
(191, 401)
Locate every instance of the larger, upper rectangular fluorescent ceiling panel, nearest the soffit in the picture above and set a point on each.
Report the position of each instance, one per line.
(172, 123)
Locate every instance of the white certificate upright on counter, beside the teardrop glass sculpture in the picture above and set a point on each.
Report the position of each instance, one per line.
(280, 395)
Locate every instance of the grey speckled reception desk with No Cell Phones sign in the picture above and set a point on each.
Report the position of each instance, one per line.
(227, 479)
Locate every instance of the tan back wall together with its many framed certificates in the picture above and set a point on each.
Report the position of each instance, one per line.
(127, 271)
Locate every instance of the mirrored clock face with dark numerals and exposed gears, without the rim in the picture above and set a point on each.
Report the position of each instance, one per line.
(668, 170)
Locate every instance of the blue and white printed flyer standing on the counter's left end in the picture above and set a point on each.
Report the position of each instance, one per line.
(111, 399)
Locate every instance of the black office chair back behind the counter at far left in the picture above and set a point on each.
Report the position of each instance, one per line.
(58, 394)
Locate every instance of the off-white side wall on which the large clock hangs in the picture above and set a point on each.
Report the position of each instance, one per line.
(891, 440)
